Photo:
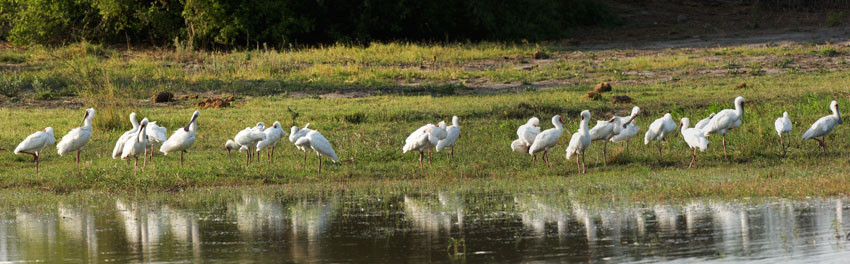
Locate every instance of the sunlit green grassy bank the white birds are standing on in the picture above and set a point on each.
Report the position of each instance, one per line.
(368, 133)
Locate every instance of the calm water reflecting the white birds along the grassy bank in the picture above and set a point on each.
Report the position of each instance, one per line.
(440, 227)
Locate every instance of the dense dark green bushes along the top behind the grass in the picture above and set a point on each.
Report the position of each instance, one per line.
(251, 23)
